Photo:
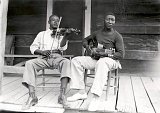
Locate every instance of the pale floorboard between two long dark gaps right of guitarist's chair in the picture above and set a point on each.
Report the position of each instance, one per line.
(142, 102)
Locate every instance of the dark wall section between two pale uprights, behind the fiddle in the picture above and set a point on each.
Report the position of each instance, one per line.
(72, 13)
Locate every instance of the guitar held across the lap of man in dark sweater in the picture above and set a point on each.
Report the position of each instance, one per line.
(93, 45)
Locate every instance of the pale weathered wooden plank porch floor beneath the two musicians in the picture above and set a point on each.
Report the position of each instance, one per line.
(138, 93)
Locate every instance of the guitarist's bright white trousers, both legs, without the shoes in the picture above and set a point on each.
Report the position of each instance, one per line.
(101, 66)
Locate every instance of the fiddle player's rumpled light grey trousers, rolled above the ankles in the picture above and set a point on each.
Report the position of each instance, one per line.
(34, 65)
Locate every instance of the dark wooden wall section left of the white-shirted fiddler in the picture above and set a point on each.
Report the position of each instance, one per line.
(25, 19)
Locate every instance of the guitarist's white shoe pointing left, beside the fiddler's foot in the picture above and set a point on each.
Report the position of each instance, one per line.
(77, 96)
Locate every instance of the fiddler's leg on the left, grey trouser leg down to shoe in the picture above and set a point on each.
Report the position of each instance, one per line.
(29, 79)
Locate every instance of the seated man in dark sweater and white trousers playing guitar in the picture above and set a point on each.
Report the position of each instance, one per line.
(100, 58)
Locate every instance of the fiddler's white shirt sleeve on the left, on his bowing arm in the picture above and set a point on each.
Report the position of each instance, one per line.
(36, 43)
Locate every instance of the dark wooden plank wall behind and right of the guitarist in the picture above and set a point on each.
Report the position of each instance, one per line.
(138, 22)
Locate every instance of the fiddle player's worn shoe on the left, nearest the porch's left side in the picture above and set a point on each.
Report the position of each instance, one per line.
(30, 102)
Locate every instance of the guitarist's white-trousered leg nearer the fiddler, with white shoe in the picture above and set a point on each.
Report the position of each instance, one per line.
(78, 65)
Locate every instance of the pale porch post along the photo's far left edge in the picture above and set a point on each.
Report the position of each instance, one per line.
(3, 26)
